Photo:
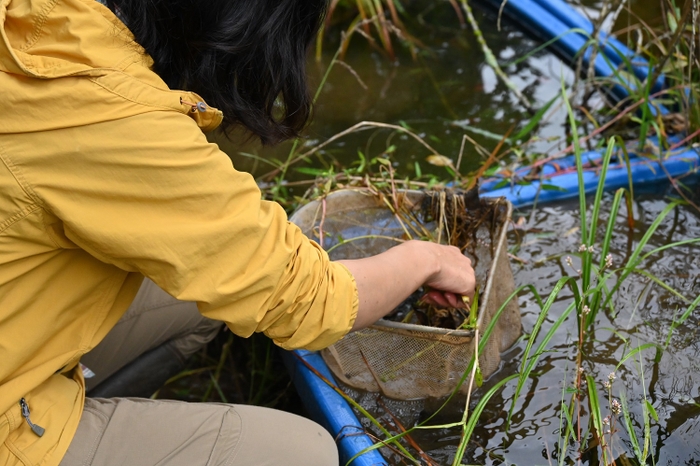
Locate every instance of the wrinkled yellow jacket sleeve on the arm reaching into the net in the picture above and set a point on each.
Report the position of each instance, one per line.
(149, 194)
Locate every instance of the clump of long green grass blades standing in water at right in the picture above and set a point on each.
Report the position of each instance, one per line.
(594, 280)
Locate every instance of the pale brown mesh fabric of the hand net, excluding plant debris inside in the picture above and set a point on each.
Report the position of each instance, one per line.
(409, 361)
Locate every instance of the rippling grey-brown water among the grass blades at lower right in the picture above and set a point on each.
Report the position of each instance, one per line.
(643, 313)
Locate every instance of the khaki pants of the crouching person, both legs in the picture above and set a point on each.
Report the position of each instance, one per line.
(143, 432)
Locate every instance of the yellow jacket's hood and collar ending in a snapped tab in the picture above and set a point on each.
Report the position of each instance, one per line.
(51, 39)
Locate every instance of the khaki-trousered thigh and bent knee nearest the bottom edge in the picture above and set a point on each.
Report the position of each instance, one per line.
(142, 432)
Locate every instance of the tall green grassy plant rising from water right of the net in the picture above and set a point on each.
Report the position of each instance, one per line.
(593, 286)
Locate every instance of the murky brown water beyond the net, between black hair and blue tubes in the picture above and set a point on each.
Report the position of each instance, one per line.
(443, 93)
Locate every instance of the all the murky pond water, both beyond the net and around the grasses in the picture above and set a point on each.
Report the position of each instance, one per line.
(448, 92)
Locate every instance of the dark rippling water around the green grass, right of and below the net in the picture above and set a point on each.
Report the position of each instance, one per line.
(643, 312)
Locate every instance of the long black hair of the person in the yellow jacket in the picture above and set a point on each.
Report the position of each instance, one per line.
(245, 57)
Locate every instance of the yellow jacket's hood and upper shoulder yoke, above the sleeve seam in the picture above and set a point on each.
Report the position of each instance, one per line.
(91, 59)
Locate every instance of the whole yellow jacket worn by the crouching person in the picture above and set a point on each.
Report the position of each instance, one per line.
(106, 177)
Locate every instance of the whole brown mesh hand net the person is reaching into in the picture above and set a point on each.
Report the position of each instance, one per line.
(405, 356)
